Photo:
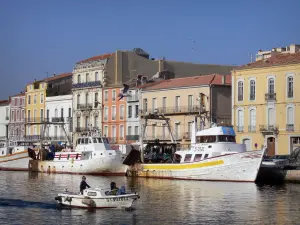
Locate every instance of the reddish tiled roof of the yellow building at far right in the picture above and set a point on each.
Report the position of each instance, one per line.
(279, 59)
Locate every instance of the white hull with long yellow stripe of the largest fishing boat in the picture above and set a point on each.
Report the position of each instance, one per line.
(237, 167)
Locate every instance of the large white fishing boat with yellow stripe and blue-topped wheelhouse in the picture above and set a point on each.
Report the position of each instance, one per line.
(214, 156)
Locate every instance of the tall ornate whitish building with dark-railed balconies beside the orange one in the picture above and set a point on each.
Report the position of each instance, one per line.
(88, 78)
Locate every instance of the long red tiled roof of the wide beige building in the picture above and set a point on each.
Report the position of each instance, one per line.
(215, 79)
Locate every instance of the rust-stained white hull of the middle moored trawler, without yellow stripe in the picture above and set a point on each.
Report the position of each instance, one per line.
(108, 166)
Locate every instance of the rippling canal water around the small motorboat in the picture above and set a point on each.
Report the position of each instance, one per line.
(28, 198)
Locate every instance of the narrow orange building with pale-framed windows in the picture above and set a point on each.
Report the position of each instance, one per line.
(114, 115)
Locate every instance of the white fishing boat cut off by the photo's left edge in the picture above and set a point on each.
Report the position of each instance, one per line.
(15, 158)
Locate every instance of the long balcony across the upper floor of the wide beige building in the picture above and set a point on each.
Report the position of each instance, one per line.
(173, 110)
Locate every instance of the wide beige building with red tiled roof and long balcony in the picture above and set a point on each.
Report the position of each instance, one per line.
(179, 99)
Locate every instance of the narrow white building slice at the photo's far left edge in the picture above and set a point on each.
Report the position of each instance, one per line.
(4, 119)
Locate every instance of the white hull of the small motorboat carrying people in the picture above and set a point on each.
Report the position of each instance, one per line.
(80, 201)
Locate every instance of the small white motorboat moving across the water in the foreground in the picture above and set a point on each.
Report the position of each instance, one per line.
(97, 198)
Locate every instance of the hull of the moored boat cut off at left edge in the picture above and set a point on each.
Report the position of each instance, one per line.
(15, 162)
